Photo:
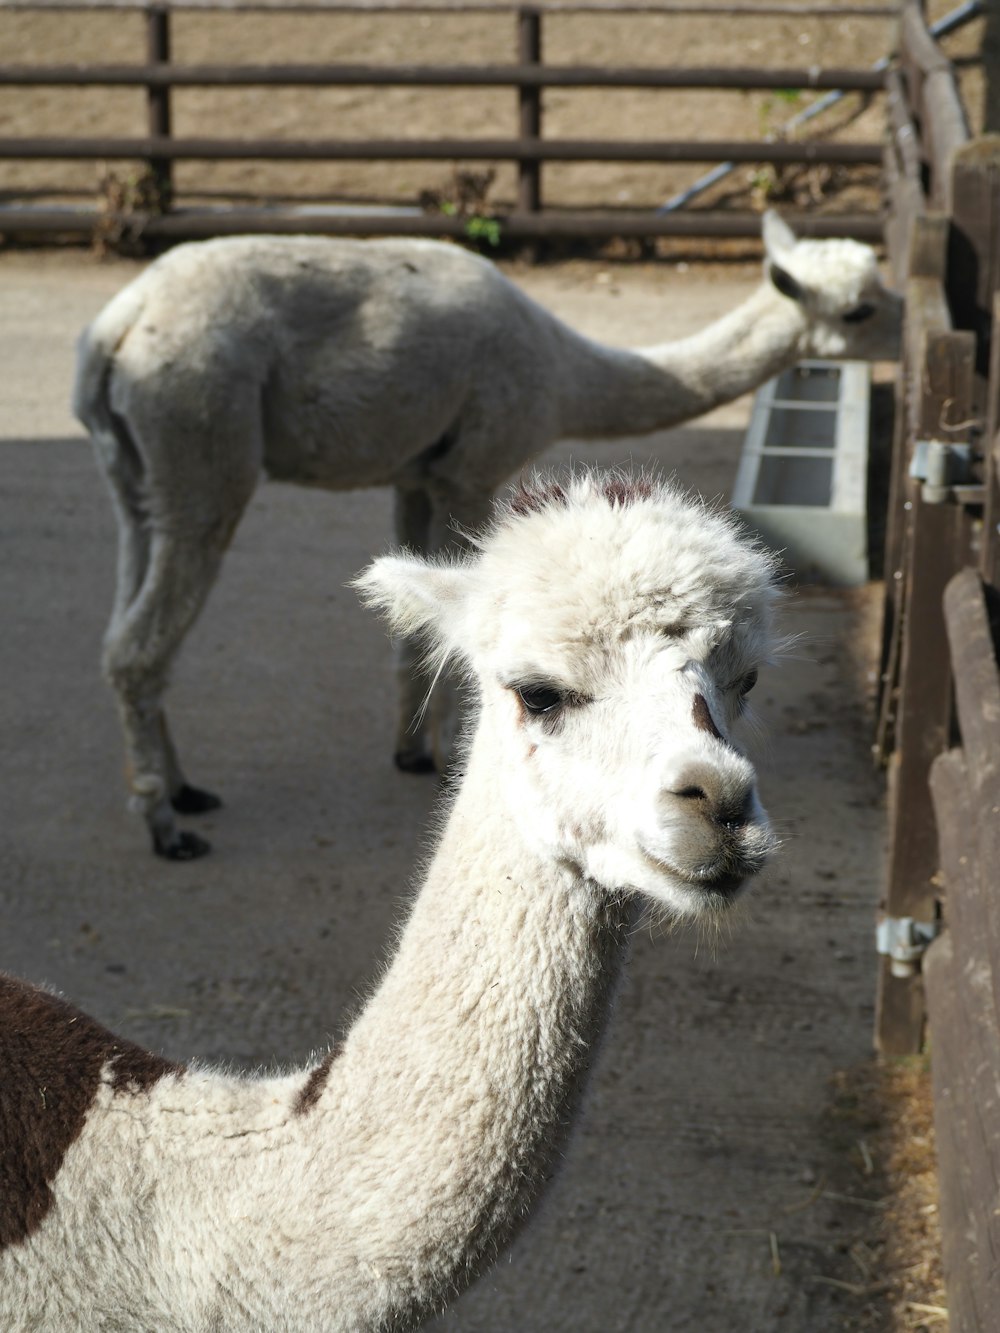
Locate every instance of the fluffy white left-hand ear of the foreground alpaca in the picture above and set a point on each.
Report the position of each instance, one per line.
(417, 597)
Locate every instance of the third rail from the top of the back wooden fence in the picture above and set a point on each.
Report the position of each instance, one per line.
(439, 150)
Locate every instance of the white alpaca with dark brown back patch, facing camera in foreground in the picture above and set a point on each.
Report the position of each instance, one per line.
(613, 631)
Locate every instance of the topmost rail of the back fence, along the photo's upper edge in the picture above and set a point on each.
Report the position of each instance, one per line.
(745, 11)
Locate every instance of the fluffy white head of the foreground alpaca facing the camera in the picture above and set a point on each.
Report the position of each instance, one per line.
(613, 629)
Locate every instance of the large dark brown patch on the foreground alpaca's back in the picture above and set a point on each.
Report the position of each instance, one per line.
(51, 1060)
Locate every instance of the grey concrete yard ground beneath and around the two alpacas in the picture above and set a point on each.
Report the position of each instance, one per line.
(709, 1187)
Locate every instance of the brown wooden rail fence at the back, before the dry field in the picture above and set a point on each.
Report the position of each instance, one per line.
(529, 149)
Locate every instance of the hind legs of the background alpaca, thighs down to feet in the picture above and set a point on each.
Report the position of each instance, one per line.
(181, 490)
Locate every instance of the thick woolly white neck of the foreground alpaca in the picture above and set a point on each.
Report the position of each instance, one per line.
(459, 1080)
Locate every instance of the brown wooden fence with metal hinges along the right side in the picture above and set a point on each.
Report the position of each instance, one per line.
(939, 723)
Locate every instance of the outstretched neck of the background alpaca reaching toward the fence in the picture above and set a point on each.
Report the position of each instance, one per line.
(617, 393)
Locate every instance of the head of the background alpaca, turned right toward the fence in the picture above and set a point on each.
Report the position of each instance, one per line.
(850, 315)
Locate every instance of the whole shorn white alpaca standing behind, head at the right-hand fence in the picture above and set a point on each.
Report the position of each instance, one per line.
(347, 365)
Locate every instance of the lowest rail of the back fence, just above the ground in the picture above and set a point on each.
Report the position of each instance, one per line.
(570, 226)
